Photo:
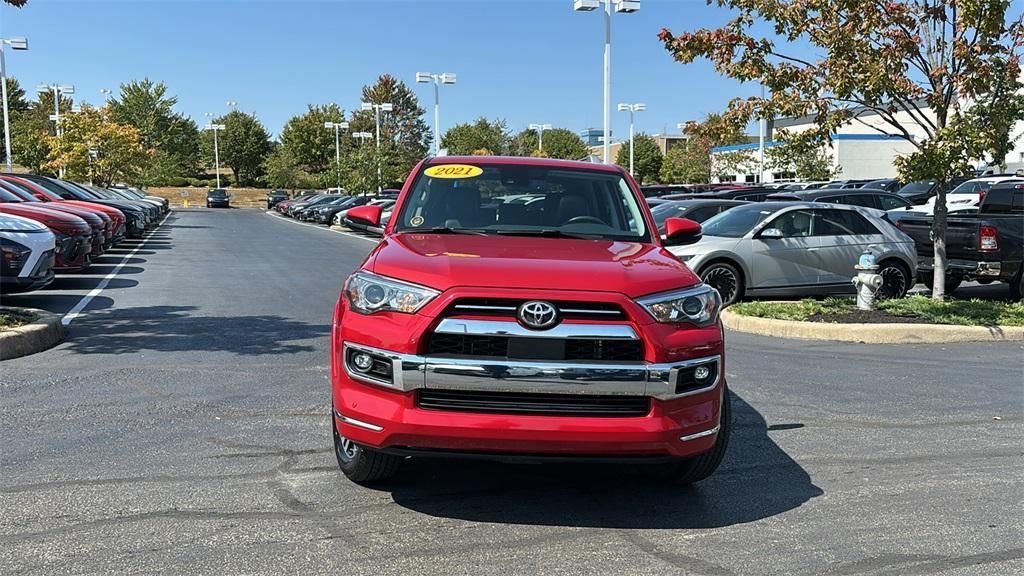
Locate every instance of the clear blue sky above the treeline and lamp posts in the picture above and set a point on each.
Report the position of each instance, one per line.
(522, 61)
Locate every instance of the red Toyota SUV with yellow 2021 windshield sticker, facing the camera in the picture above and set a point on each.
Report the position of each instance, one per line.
(527, 308)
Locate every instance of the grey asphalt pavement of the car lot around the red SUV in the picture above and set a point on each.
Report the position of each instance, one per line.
(183, 428)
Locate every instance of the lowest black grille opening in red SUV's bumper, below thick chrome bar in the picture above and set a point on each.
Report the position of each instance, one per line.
(534, 404)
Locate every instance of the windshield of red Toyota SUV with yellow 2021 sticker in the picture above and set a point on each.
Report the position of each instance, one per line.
(490, 198)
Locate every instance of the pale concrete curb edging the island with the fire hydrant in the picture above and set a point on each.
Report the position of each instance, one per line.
(872, 334)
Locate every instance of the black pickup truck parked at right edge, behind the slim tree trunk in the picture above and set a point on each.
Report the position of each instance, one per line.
(986, 248)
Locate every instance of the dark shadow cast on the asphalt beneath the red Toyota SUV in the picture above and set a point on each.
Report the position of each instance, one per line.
(757, 480)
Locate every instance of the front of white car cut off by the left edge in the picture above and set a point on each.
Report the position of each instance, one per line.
(27, 251)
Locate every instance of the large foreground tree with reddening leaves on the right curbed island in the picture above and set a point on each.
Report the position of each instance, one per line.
(914, 66)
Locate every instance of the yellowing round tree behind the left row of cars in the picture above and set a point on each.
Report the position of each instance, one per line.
(95, 148)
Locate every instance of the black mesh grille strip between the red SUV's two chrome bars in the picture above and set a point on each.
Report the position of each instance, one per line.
(513, 348)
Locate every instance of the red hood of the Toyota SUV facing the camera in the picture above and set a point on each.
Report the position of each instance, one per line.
(443, 262)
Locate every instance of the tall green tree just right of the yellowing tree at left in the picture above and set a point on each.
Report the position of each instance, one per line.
(174, 139)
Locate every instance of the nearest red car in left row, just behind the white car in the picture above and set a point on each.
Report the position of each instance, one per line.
(75, 237)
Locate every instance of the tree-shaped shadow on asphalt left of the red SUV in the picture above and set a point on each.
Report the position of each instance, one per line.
(179, 330)
